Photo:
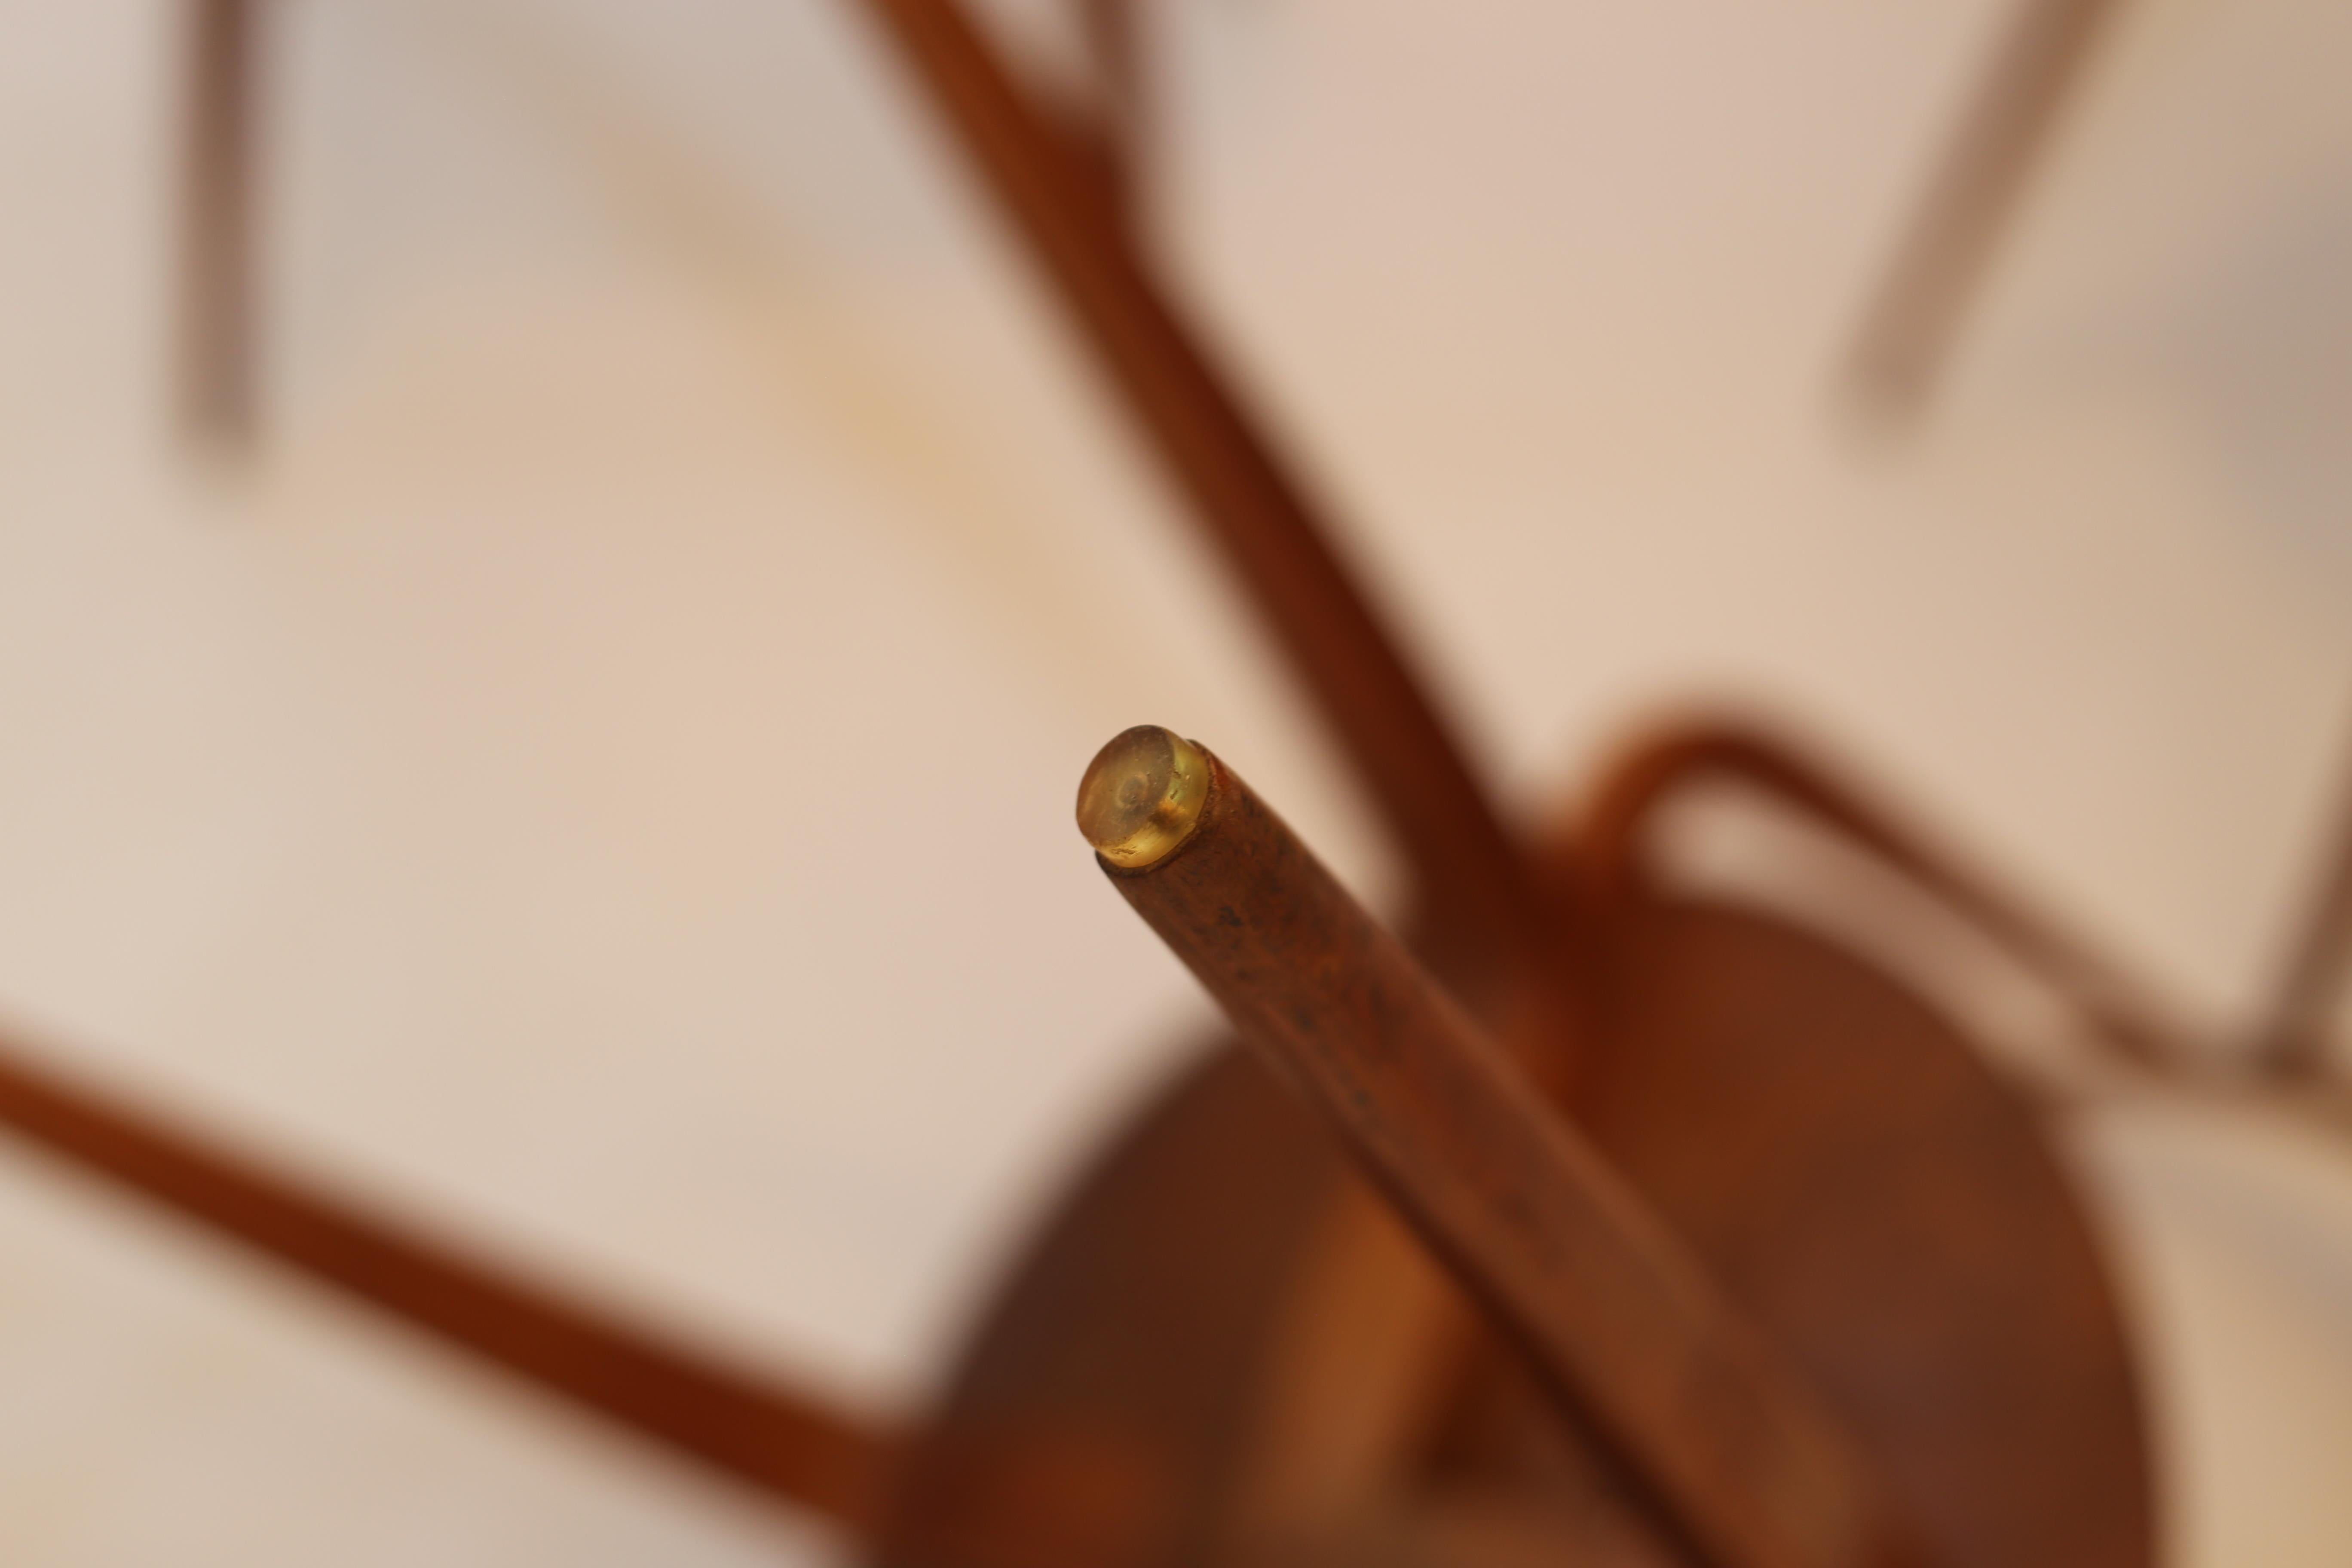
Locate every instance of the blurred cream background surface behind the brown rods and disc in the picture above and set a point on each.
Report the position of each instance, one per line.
(603, 775)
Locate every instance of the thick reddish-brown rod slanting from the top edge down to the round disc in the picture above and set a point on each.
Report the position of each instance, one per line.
(1474, 878)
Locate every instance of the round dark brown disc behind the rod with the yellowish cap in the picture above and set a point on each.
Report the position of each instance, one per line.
(1836, 1151)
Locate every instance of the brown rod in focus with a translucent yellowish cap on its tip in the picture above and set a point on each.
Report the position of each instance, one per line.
(1530, 1217)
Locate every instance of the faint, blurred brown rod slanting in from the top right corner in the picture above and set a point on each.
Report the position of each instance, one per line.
(1939, 269)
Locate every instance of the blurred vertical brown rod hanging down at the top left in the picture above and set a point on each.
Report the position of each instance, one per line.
(218, 267)
